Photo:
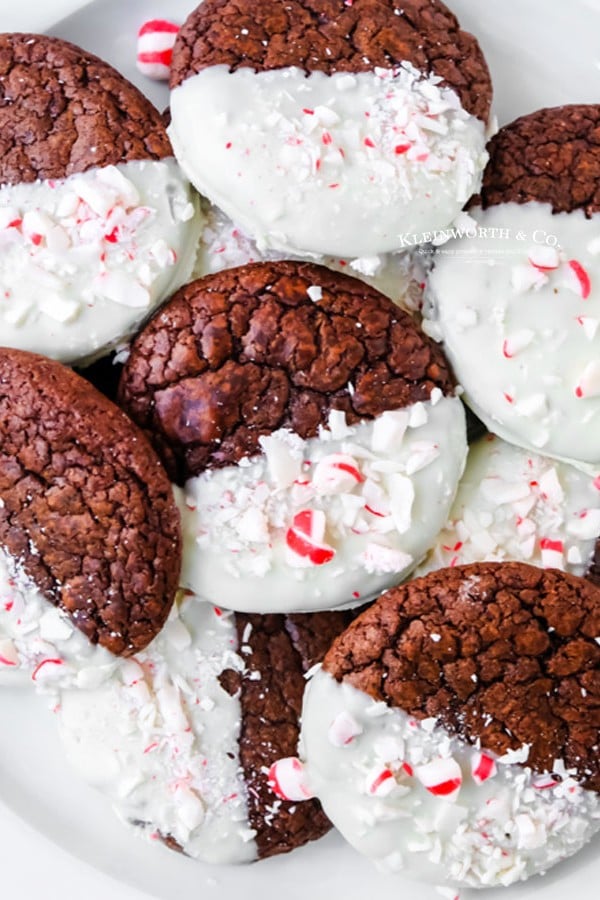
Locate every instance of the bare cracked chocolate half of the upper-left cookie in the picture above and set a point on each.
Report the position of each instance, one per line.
(64, 111)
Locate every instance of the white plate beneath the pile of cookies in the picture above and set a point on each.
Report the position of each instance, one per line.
(541, 53)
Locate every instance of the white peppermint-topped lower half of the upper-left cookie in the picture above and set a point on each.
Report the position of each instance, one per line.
(84, 260)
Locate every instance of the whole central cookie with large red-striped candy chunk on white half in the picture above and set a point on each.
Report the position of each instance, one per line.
(312, 427)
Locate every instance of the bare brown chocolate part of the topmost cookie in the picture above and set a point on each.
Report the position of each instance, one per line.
(333, 36)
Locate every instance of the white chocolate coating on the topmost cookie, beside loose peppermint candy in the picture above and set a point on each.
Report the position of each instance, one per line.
(342, 164)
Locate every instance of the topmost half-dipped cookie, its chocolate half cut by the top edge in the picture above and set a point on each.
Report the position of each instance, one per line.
(330, 128)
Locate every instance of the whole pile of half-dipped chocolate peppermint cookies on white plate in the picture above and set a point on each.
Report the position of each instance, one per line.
(260, 477)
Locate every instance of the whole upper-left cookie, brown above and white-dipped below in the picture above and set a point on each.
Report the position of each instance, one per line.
(97, 223)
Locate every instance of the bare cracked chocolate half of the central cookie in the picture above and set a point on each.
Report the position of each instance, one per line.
(245, 352)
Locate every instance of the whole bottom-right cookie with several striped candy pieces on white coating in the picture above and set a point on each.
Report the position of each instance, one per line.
(452, 732)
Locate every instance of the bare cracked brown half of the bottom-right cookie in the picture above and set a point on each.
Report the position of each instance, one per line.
(514, 659)
